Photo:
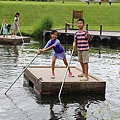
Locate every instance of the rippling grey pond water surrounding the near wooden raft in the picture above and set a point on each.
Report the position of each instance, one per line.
(22, 103)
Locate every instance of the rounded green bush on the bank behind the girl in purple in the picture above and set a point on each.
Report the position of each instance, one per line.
(42, 24)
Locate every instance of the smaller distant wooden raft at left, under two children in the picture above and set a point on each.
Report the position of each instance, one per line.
(13, 40)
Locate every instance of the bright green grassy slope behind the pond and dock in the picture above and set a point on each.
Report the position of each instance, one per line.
(94, 14)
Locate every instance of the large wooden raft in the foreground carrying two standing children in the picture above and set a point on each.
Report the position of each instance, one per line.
(40, 78)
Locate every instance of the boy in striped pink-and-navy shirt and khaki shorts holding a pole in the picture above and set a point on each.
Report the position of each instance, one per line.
(81, 38)
